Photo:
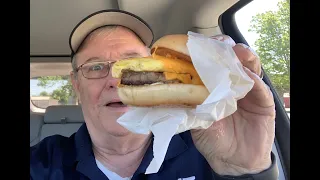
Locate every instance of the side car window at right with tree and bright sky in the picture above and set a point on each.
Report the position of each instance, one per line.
(266, 27)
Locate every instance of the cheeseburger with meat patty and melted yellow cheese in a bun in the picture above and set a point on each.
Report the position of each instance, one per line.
(167, 77)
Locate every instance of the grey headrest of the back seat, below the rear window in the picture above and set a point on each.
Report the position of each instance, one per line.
(63, 114)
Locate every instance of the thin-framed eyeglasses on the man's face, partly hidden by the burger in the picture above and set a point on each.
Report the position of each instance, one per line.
(95, 70)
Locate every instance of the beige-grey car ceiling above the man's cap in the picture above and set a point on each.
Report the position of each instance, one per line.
(51, 23)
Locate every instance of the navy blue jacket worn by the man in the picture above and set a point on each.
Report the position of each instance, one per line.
(57, 157)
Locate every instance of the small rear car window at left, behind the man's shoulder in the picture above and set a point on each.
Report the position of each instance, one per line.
(52, 90)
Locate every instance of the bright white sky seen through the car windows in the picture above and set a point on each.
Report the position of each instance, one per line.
(243, 18)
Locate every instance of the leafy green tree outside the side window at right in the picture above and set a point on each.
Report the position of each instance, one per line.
(273, 44)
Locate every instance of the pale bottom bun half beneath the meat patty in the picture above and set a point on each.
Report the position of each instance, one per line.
(178, 95)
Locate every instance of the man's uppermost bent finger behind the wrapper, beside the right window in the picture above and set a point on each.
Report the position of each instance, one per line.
(248, 58)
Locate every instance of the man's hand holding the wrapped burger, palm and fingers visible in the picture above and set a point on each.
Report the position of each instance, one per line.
(241, 143)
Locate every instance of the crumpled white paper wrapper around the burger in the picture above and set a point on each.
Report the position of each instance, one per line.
(223, 75)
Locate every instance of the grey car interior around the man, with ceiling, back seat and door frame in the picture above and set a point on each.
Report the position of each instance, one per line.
(51, 23)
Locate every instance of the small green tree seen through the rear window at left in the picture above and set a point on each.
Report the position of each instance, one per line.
(63, 92)
